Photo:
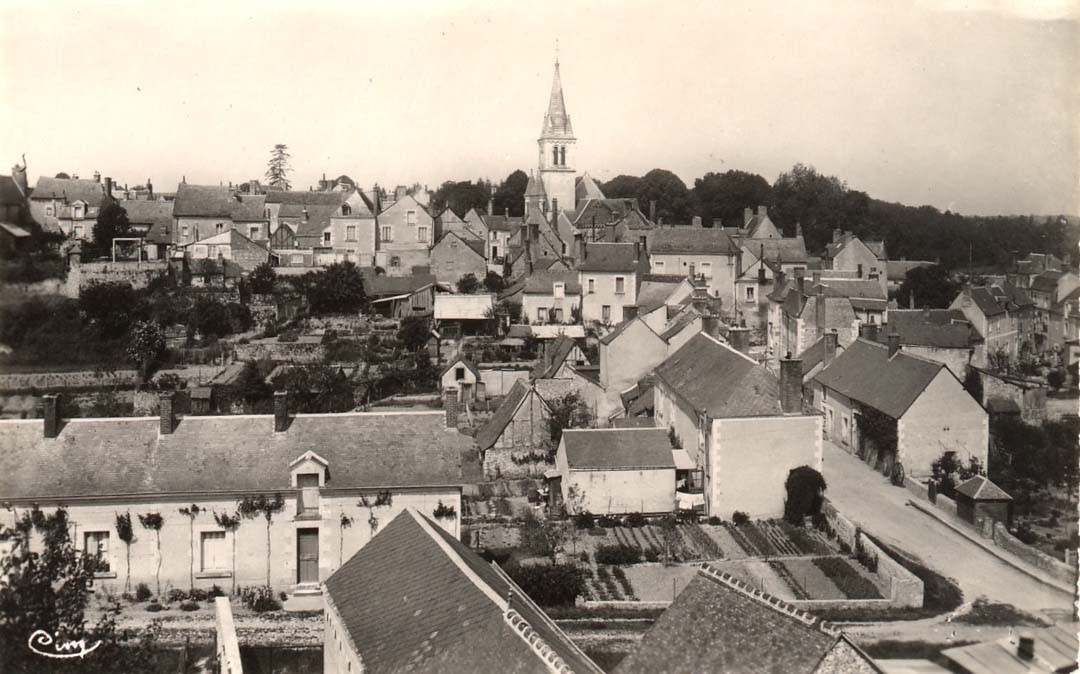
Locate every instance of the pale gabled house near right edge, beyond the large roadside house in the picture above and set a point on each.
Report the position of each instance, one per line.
(1004, 316)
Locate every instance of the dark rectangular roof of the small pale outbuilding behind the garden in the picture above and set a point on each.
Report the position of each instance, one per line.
(617, 449)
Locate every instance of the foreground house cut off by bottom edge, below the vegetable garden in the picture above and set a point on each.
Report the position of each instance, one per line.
(719, 624)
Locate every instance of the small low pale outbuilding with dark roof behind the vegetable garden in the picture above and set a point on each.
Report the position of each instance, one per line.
(616, 471)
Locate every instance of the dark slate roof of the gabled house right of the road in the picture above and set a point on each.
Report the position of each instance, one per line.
(867, 374)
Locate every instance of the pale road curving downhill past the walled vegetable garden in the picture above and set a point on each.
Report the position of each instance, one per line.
(869, 501)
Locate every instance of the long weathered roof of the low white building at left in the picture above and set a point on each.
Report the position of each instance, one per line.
(229, 454)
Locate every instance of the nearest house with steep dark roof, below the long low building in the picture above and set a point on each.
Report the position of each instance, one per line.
(417, 600)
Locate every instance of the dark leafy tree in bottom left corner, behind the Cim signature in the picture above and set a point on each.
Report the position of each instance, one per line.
(47, 589)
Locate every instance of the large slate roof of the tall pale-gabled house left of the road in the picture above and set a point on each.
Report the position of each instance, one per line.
(714, 378)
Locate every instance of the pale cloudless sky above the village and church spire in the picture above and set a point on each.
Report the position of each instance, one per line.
(967, 105)
